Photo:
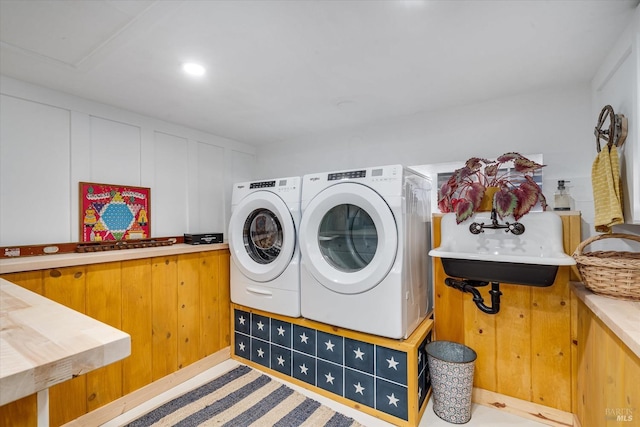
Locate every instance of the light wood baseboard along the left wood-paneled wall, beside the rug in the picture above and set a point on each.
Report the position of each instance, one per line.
(126, 403)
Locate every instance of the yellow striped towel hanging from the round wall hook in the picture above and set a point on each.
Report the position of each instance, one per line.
(607, 194)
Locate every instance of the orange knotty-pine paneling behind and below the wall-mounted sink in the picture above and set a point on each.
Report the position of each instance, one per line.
(529, 349)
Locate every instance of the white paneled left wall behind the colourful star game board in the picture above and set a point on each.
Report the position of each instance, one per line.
(50, 141)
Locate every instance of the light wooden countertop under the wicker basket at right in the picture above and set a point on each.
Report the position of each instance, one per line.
(622, 317)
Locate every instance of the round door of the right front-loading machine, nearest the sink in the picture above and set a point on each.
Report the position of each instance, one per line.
(348, 238)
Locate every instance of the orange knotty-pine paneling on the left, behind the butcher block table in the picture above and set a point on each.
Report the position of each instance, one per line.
(176, 309)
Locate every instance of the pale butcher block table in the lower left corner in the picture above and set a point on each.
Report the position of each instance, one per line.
(43, 343)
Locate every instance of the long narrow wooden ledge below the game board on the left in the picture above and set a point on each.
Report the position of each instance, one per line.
(41, 262)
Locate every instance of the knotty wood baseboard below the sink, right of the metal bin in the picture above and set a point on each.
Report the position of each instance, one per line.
(525, 409)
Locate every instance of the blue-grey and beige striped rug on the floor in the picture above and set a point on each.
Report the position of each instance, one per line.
(243, 397)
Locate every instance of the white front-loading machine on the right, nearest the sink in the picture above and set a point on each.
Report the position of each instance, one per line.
(364, 238)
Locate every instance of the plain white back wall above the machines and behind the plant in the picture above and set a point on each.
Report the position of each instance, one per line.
(555, 122)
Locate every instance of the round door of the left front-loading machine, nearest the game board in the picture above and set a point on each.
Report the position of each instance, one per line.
(262, 236)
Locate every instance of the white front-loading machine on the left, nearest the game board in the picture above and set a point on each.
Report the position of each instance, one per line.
(265, 257)
